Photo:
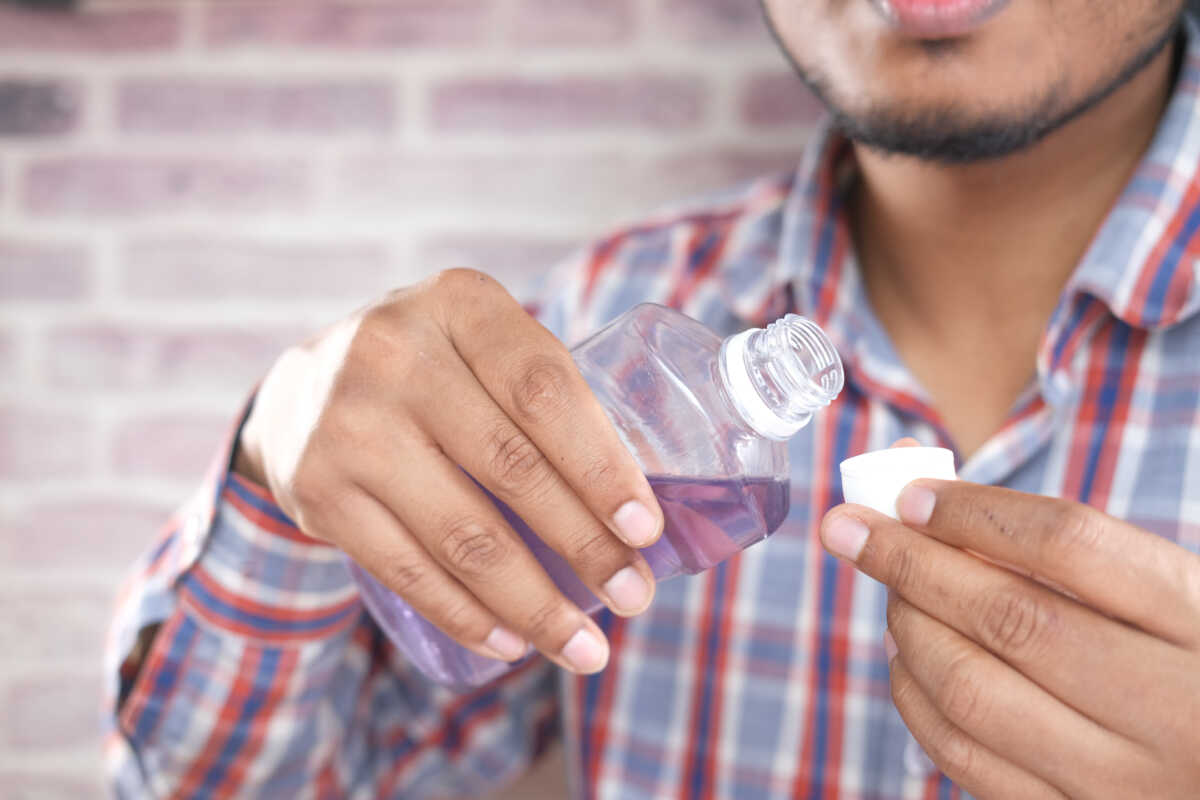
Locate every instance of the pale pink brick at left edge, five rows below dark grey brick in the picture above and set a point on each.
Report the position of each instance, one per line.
(99, 533)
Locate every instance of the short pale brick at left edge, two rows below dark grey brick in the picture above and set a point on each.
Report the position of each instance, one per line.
(44, 270)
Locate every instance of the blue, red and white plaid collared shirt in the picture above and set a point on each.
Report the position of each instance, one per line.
(763, 678)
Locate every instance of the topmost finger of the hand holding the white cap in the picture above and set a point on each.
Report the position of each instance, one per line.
(1113, 567)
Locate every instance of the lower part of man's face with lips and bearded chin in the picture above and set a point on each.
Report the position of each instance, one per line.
(965, 80)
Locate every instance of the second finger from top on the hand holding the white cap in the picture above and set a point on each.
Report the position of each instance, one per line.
(1085, 659)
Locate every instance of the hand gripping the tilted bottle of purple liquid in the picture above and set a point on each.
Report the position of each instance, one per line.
(361, 435)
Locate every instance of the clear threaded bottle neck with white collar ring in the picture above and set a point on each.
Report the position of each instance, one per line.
(778, 377)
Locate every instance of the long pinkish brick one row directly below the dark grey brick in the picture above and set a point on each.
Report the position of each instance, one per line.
(127, 185)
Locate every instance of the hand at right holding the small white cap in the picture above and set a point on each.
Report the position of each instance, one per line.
(1082, 681)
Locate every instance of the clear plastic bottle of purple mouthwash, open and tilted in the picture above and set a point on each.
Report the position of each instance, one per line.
(709, 422)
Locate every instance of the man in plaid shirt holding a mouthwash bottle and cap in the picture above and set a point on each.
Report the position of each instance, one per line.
(998, 228)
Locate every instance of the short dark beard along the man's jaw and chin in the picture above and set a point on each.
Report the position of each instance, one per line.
(949, 135)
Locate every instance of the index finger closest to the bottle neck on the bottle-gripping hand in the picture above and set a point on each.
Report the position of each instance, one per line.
(532, 377)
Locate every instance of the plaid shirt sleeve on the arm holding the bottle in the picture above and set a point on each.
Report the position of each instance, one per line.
(256, 672)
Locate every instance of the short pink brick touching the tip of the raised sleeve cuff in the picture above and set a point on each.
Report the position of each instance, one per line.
(172, 447)
